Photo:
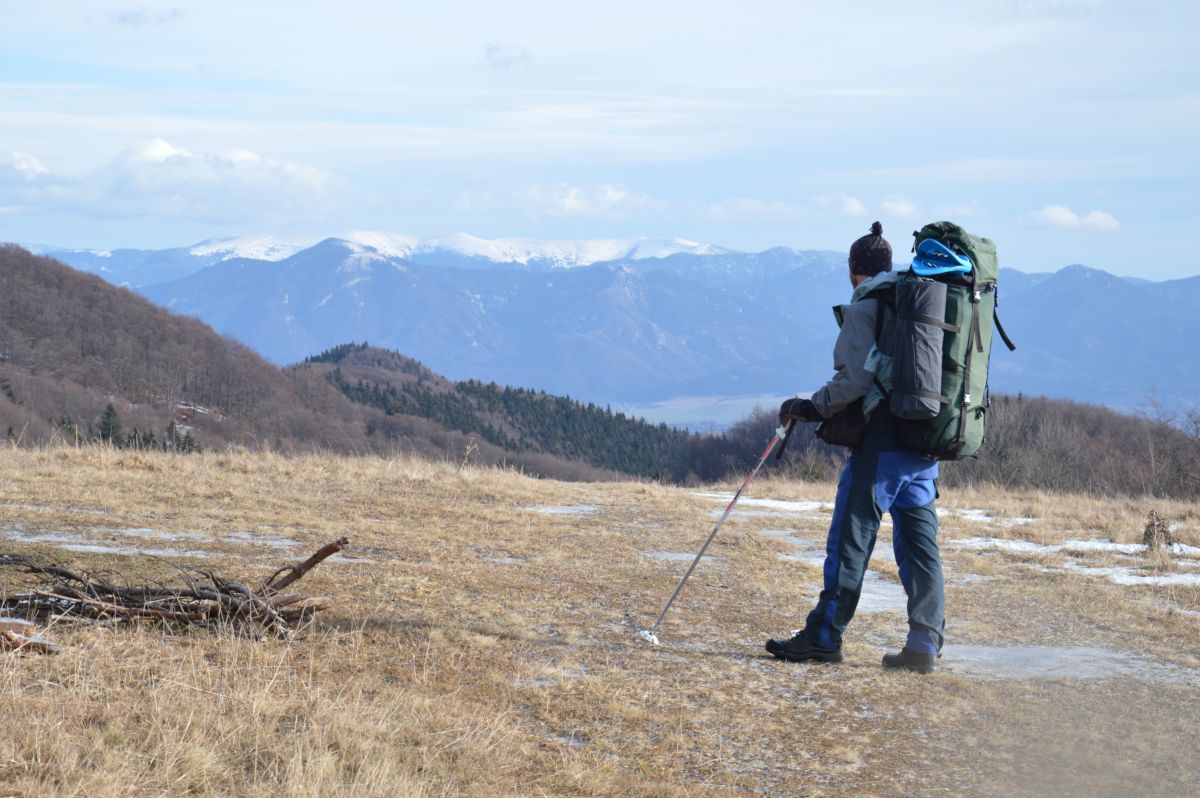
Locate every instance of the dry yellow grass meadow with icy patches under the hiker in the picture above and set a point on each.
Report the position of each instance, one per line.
(483, 641)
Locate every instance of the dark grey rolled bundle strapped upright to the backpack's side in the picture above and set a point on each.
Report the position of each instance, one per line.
(917, 363)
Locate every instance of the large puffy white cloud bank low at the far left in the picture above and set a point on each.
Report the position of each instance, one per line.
(159, 181)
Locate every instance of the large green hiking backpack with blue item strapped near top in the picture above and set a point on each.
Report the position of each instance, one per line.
(945, 319)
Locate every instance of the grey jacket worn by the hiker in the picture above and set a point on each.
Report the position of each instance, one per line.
(855, 356)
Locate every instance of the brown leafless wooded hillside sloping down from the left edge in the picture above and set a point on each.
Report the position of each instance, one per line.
(83, 362)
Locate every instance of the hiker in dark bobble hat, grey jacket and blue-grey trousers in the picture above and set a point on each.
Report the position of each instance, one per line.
(880, 477)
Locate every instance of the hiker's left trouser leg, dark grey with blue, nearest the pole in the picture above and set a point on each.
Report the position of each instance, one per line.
(856, 524)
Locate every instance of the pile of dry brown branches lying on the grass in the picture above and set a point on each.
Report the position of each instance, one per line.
(203, 599)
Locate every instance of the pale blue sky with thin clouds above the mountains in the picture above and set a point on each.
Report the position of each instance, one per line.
(1064, 130)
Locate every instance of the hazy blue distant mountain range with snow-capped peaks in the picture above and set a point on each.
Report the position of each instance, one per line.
(641, 321)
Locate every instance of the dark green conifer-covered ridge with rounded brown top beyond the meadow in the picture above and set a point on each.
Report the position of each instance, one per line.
(511, 418)
